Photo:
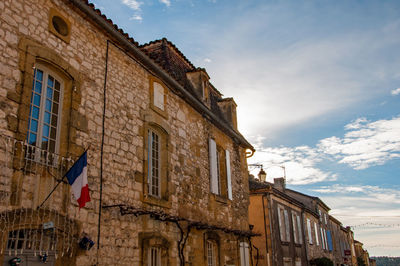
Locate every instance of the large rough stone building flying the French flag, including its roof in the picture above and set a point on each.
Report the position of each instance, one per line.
(167, 166)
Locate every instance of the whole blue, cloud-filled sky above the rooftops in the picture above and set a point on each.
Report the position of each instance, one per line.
(317, 85)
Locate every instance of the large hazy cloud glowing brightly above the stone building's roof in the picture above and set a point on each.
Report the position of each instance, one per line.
(291, 81)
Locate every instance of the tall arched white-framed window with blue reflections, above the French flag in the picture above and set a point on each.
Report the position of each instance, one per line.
(45, 110)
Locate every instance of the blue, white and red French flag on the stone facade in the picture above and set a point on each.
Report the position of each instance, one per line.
(77, 178)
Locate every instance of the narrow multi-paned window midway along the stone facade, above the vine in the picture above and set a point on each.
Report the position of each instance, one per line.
(154, 164)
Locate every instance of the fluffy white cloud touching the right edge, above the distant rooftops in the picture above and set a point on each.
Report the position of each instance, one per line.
(365, 144)
